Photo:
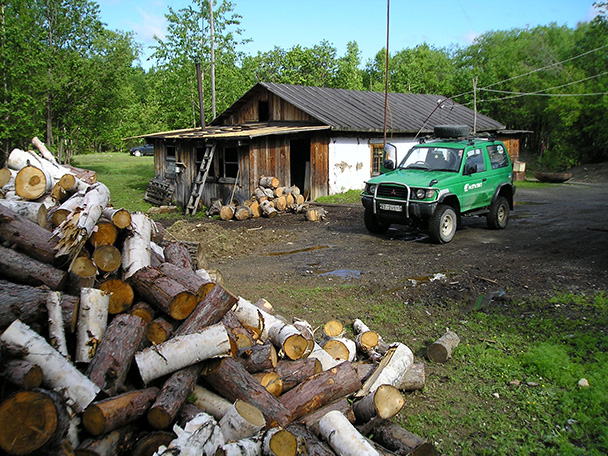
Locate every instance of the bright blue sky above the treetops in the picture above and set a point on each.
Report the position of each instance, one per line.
(286, 23)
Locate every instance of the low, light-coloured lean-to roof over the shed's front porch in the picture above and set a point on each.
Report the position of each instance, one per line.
(235, 131)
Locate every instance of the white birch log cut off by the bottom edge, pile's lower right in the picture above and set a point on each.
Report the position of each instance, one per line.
(343, 437)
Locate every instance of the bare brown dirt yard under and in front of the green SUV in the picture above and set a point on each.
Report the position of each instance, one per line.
(556, 242)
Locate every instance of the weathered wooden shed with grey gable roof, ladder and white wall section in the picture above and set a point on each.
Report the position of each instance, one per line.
(324, 141)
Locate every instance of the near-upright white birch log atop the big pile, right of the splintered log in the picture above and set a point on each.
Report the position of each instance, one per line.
(136, 250)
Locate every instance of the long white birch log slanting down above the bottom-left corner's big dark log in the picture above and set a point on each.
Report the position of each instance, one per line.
(59, 373)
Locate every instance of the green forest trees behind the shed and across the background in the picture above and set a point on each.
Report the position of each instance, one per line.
(68, 79)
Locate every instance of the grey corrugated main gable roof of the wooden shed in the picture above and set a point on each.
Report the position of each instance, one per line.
(352, 110)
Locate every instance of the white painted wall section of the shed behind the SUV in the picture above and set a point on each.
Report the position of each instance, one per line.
(350, 161)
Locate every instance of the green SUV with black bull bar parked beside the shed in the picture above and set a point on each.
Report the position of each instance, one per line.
(439, 181)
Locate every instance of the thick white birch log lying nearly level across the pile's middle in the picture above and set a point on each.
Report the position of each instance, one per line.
(182, 351)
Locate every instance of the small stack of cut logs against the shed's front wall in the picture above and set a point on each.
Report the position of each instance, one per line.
(268, 200)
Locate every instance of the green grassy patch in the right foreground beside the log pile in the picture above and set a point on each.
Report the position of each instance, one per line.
(511, 387)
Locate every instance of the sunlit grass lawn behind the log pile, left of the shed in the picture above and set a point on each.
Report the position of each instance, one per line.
(126, 176)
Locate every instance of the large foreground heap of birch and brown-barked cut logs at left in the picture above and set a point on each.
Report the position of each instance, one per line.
(150, 357)
